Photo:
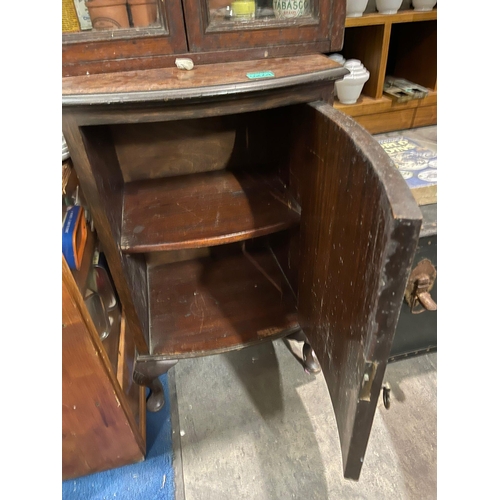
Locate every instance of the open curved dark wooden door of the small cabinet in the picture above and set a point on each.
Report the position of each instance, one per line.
(358, 234)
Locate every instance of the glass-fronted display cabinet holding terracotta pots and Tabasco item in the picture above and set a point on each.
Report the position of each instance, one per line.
(118, 35)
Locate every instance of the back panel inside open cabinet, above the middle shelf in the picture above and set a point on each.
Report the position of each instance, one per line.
(252, 141)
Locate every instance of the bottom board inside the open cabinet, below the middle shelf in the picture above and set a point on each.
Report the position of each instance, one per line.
(218, 303)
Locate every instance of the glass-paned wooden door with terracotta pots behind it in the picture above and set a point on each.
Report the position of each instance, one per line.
(95, 31)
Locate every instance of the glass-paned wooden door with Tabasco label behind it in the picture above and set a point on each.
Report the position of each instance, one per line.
(244, 24)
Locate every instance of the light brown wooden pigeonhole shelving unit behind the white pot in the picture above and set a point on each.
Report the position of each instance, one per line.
(402, 45)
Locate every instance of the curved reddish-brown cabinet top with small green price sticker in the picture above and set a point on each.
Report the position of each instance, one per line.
(202, 81)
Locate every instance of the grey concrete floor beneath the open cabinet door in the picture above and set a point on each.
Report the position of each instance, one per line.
(254, 425)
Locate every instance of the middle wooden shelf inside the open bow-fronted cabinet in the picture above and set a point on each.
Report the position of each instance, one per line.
(204, 209)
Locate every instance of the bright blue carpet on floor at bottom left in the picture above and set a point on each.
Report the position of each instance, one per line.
(152, 479)
